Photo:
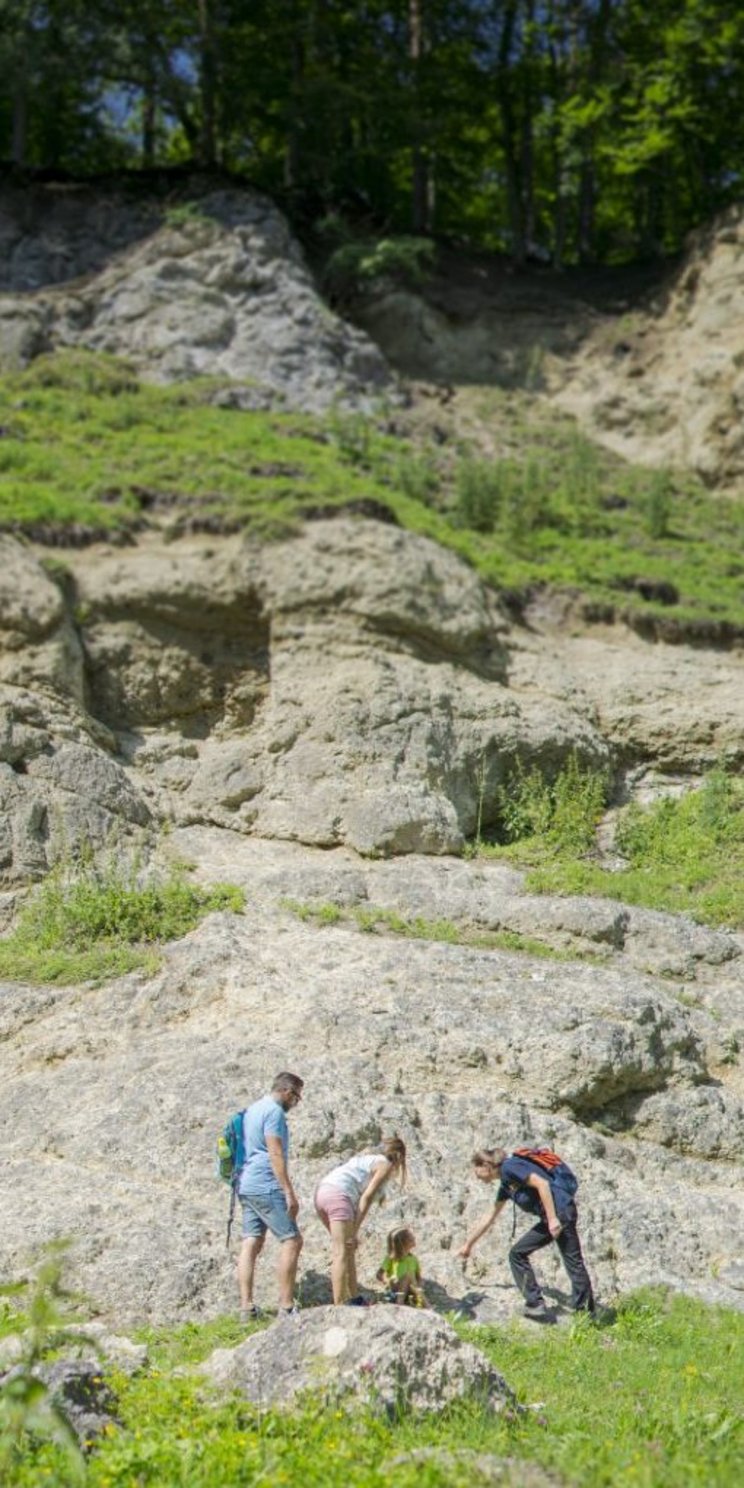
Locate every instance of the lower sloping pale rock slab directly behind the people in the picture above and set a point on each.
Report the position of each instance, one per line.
(453, 1047)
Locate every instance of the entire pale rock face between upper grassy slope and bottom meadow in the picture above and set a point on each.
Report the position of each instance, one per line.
(316, 719)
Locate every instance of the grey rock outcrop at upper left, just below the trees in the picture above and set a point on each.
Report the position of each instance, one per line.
(215, 286)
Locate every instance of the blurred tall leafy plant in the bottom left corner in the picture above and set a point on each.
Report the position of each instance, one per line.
(29, 1414)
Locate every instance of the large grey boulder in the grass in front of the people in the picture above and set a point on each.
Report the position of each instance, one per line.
(389, 1359)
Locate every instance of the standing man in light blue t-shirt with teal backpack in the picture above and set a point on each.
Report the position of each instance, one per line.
(267, 1194)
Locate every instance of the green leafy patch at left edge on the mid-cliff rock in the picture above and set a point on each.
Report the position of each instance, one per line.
(105, 917)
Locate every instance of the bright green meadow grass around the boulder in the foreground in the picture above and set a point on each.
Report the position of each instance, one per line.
(648, 1401)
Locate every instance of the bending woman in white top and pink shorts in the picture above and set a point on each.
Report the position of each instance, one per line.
(343, 1202)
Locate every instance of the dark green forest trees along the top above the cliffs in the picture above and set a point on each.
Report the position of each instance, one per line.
(562, 130)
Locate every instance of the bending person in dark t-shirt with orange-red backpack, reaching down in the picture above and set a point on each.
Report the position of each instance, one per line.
(532, 1188)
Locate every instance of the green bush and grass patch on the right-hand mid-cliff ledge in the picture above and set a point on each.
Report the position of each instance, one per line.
(682, 855)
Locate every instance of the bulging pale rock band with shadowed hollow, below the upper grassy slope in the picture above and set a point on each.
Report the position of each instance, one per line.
(353, 685)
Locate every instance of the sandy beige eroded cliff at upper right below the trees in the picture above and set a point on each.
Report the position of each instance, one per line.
(654, 376)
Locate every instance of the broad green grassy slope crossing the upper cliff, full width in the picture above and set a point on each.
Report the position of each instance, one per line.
(86, 444)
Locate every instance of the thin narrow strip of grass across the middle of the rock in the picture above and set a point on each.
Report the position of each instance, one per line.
(376, 920)
